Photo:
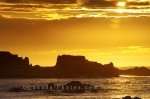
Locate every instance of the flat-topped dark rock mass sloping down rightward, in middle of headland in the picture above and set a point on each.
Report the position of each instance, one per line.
(79, 67)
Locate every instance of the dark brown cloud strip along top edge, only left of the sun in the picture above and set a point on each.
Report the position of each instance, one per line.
(81, 2)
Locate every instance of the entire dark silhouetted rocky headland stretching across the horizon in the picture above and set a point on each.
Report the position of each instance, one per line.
(67, 66)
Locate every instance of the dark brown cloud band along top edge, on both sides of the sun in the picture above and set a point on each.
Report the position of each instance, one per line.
(95, 3)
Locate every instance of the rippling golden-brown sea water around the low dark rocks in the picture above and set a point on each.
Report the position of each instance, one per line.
(113, 88)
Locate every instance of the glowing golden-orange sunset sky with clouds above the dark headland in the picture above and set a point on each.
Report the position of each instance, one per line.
(103, 31)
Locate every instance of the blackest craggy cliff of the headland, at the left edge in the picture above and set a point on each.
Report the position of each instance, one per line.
(13, 66)
